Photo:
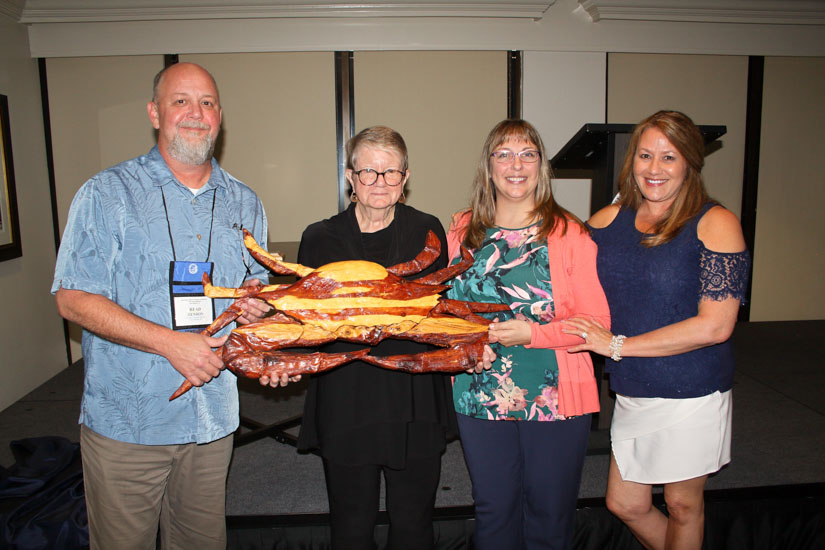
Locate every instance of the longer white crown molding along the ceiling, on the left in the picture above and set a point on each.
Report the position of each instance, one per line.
(57, 12)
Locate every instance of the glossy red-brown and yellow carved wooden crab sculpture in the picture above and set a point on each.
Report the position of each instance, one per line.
(355, 301)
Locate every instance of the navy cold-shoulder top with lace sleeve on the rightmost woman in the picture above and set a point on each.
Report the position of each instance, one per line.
(651, 287)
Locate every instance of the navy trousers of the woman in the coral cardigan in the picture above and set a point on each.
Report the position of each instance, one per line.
(525, 480)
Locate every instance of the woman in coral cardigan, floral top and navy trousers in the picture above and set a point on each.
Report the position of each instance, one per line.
(524, 423)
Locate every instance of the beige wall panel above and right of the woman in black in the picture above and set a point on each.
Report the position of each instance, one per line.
(443, 104)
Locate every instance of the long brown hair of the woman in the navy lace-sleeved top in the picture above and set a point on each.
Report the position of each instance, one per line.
(685, 136)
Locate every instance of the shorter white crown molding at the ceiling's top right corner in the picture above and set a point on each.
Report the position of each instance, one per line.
(776, 12)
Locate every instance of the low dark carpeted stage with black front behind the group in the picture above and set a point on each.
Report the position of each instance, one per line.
(778, 449)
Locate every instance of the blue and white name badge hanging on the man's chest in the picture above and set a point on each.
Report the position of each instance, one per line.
(192, 311)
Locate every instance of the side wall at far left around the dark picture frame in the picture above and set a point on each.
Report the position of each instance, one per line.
(31, 332)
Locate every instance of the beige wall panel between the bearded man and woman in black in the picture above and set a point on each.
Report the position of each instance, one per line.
(278, 132)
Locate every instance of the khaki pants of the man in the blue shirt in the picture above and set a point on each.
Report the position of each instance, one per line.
(131, 490)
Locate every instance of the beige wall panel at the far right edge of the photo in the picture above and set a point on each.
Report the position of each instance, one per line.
(789, 257)
